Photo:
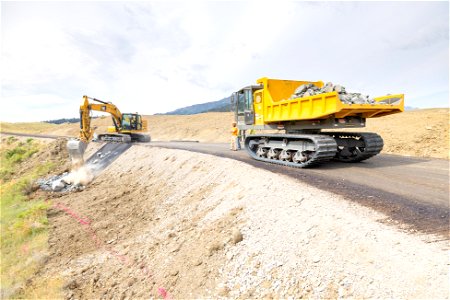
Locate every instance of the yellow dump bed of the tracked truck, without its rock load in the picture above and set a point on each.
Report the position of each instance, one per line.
(278, 107)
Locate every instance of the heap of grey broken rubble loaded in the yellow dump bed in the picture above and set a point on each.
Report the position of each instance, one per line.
(309, 89)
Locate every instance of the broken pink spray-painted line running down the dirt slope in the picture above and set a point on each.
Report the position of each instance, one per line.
(122, 258)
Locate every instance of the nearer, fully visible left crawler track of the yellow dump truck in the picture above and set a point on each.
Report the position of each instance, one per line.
(293, 150)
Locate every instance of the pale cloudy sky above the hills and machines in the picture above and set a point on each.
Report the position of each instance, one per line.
(157, 56)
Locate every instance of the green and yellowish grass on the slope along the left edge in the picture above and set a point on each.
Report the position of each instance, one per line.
(24, 224)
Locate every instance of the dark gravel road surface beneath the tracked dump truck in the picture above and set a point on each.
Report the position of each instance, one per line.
(414, 192)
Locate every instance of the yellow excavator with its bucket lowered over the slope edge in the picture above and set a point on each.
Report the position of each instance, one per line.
(128, 127)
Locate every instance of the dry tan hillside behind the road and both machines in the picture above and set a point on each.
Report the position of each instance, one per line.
(423, 132)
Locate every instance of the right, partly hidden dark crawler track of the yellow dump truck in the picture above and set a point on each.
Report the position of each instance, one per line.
(356, 146)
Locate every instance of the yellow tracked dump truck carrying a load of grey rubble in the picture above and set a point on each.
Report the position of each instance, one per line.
(303, 110)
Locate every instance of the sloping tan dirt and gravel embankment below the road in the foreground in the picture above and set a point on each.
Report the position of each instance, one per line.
(176, 224)
